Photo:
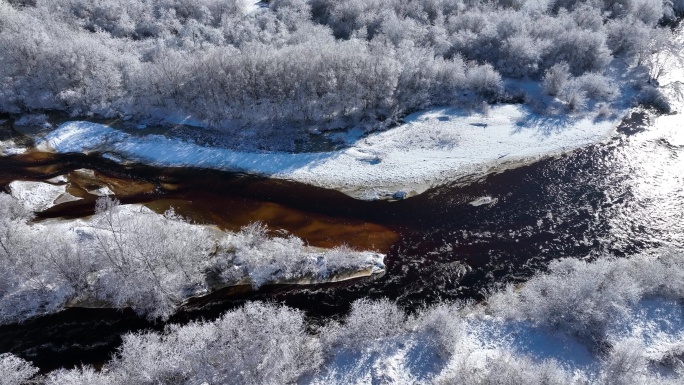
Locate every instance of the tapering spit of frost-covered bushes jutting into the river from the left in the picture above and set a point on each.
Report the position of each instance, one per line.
(144, 261)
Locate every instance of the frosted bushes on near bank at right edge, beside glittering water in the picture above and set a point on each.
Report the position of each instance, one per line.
(586, 298)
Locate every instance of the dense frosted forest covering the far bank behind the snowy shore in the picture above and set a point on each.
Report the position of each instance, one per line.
(316, 63)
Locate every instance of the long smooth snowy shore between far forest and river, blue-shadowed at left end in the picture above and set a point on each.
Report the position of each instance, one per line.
(436, 146)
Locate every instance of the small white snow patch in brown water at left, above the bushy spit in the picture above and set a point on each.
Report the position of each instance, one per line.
(39, 196)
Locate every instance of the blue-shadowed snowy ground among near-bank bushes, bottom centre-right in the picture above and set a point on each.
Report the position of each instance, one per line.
(415, 357)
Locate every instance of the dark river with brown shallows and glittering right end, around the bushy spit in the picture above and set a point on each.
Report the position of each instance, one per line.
(611, 199)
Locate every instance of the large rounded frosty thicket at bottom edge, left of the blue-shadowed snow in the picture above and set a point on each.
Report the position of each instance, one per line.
(255, 344)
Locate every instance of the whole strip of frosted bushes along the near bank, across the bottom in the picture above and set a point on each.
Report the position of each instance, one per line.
(598, 302)
